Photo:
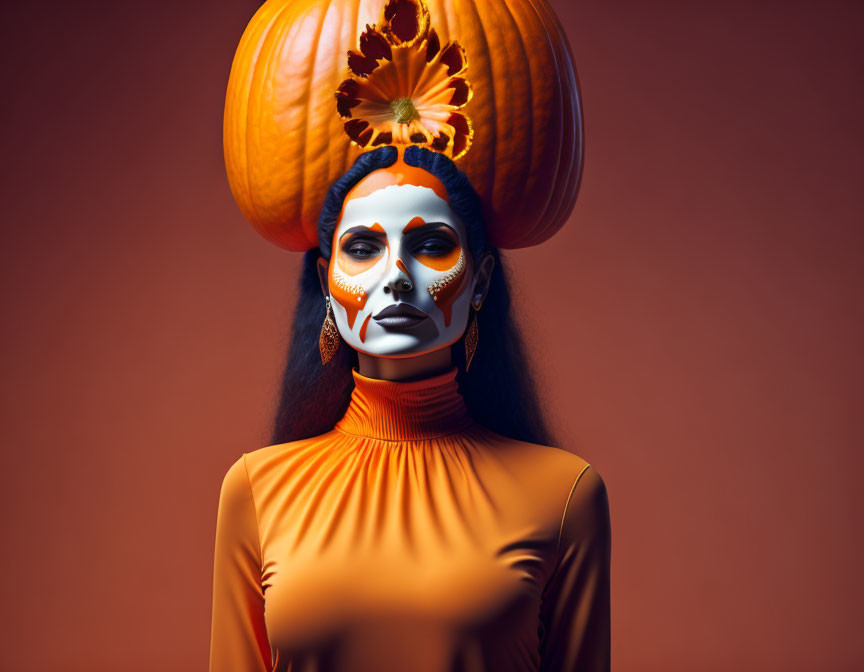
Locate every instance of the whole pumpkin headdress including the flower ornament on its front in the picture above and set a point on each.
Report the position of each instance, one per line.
(489, 83)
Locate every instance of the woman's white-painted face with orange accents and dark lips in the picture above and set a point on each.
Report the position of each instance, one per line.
(400, 250)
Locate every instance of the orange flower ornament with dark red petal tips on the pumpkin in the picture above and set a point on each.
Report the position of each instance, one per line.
(405, 88)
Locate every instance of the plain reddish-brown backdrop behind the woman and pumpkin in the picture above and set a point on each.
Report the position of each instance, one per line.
(698, 325)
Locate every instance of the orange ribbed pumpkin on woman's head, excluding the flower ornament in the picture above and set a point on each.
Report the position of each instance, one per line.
(285, 144)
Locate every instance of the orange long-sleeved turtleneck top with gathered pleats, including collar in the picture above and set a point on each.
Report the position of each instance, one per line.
(411, 539)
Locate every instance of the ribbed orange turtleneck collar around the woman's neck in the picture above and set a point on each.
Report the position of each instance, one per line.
(405, 410)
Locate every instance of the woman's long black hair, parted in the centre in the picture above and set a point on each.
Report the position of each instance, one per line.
(499, 389)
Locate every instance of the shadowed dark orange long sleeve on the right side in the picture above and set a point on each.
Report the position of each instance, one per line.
(575, 618)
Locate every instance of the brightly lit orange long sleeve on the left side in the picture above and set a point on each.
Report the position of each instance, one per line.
(238, 635)
